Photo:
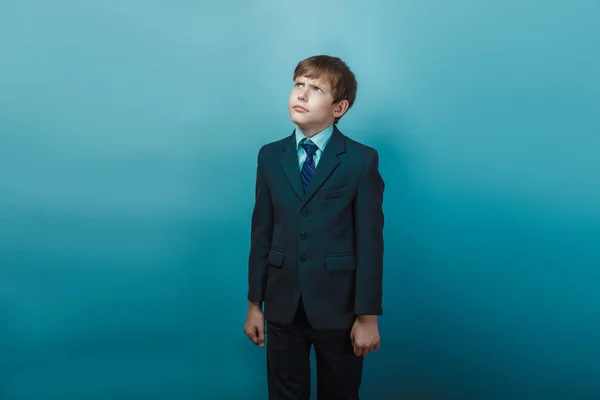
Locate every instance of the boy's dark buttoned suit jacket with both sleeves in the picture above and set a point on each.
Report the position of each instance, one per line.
(325, 245)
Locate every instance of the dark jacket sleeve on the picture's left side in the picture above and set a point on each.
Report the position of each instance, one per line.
(261, 234)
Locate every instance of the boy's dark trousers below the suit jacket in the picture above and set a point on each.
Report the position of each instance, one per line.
(339, 371)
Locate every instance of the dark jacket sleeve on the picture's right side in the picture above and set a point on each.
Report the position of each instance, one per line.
(368, 216)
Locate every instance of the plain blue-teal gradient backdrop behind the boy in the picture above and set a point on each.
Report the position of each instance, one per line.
(128, 140)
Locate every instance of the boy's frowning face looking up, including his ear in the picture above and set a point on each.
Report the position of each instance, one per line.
(311, 105)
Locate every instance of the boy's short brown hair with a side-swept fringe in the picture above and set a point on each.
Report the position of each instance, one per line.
(342, 80)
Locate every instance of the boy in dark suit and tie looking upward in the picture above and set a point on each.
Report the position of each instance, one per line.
(316, 256)
